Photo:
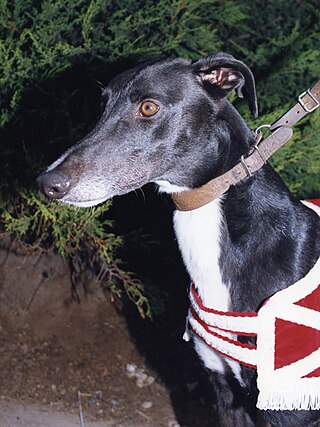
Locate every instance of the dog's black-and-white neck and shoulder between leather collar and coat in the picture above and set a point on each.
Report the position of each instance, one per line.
(243, 247)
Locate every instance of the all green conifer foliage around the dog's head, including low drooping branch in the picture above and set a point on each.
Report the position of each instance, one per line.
(53, 52)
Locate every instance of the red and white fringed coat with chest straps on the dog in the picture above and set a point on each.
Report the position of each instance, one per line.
(287, 350)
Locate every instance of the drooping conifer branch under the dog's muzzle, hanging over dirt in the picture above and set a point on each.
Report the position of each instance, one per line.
(81, 237)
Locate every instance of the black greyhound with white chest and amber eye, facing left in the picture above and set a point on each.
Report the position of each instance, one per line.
(170, 122)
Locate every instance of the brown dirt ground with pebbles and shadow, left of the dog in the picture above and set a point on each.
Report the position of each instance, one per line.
(68, 364)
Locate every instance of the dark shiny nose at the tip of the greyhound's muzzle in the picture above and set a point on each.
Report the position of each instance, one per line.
(54, 184)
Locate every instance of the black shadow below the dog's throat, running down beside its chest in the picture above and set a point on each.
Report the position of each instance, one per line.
(160, 341)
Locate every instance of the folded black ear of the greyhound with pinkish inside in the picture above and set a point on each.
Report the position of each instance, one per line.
(223, 73)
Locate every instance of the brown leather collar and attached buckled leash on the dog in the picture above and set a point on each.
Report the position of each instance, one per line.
(258, 155)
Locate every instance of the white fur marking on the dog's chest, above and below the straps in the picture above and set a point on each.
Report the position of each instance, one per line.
(198, 233)
